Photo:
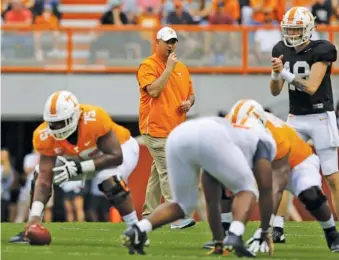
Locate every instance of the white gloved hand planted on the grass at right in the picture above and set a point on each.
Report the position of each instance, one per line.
(261, 242)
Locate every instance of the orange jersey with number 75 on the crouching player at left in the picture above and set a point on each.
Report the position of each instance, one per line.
(94, 123)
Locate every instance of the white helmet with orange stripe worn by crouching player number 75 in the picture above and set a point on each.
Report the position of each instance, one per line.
(62, 113)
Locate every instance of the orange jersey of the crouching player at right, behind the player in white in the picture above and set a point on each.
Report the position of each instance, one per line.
(298, 148)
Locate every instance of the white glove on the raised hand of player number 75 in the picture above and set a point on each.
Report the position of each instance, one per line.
(64, 173)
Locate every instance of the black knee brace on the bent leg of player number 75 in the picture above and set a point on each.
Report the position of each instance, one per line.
(117, 192)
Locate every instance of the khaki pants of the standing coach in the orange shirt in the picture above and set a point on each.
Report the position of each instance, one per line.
(157, 185)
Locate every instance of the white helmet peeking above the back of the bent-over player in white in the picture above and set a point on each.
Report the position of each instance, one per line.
(248, 112)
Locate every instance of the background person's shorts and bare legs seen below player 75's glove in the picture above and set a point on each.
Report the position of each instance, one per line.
(73, 201)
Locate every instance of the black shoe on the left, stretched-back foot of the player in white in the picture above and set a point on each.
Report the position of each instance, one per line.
(134, 240)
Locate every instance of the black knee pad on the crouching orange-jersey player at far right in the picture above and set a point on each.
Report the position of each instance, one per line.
(312, 198)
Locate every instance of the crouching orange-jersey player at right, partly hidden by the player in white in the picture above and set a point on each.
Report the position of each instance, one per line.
(304, 178)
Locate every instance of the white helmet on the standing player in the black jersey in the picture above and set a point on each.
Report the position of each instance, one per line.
(297, 26)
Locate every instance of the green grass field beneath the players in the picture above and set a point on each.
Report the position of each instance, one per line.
(99, 241)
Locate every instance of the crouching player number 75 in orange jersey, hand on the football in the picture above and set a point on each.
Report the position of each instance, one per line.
(76, 141)
